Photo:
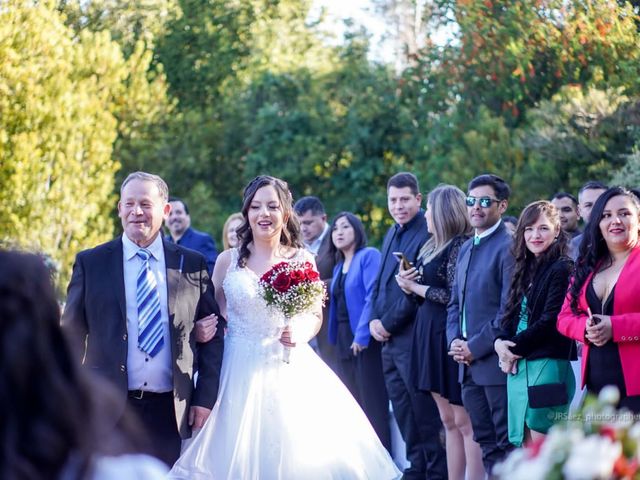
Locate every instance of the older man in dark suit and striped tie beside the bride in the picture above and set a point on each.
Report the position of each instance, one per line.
(140, 277)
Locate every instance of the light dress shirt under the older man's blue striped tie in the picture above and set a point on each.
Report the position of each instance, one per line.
(152, 374)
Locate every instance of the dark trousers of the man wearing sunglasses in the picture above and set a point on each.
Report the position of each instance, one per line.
(487, 408)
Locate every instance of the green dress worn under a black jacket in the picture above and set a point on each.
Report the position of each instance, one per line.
(540, 371)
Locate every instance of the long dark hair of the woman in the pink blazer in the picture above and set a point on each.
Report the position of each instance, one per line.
(593, 247)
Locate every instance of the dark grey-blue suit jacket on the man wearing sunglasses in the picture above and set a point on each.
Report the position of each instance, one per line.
(489, 272)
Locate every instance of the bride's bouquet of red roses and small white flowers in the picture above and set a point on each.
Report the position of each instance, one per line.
(292, 288)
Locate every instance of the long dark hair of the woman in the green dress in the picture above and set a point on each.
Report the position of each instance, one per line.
(526, 263)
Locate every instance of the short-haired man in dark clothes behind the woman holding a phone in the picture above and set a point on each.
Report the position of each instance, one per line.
(392, 323)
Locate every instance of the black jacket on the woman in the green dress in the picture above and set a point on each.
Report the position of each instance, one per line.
(541, 339)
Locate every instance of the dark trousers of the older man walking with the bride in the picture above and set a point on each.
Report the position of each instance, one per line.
(157, 415)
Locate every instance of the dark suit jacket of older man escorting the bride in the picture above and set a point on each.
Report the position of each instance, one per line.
(94, 319)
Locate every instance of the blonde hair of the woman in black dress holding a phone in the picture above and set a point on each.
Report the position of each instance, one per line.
(450, 219)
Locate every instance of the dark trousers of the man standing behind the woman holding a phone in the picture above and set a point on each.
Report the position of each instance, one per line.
(417, 416)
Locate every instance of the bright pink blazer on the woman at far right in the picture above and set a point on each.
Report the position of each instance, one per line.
(625, 322)
